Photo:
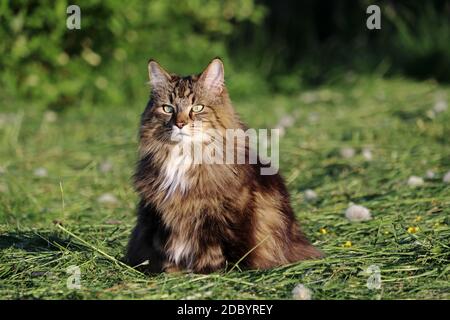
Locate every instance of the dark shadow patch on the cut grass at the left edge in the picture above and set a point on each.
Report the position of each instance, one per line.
(33, 241)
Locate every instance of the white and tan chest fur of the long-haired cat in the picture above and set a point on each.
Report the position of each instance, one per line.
(194, 199)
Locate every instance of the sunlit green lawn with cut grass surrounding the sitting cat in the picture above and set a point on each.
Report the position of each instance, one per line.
(388, 116)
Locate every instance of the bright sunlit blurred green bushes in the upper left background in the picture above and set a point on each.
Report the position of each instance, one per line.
(106, 59)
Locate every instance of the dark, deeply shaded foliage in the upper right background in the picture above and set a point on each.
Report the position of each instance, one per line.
(312, 42)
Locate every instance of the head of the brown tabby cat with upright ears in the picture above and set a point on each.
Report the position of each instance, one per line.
(180, 106)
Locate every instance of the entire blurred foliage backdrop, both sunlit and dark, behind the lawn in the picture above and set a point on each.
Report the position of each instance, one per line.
(266, 45)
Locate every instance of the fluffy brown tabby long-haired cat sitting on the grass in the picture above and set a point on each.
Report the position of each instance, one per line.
(203, 217)
